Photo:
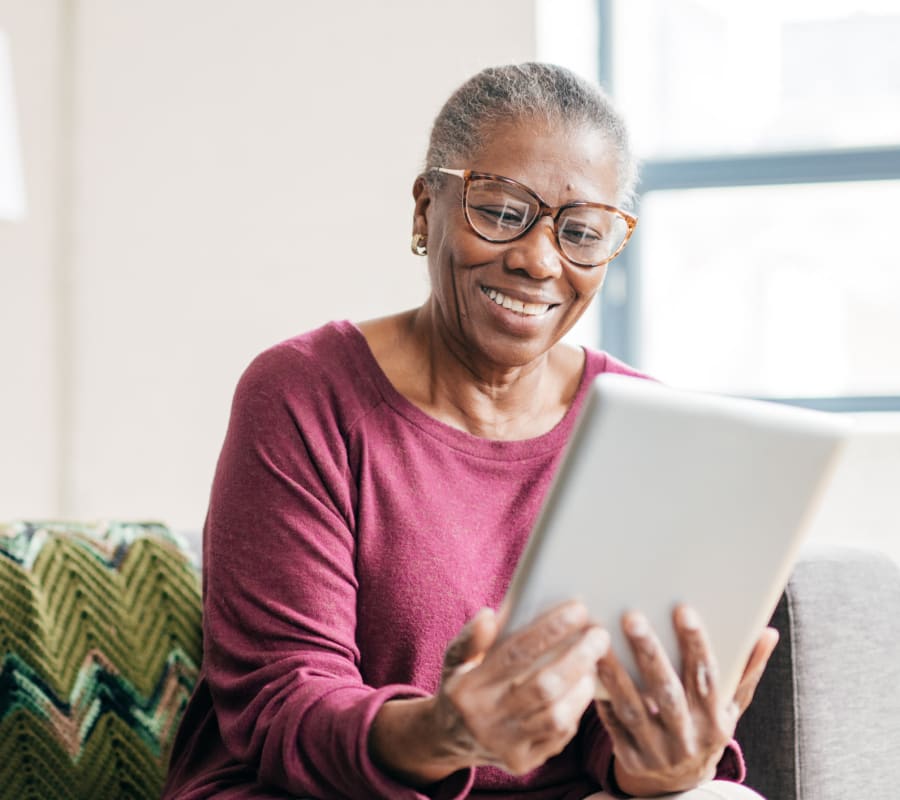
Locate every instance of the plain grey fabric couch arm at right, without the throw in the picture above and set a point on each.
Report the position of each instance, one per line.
(825, 723)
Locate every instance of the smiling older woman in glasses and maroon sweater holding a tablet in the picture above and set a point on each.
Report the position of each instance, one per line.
(377, 486)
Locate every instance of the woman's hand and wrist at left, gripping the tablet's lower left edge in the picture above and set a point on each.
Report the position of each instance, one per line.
(510, 704)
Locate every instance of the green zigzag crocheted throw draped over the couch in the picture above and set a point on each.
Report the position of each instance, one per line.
(100, 648)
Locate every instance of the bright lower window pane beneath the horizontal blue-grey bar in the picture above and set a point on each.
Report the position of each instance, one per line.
(780, 291)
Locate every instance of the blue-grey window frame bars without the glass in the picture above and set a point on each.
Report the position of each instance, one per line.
(619, 304)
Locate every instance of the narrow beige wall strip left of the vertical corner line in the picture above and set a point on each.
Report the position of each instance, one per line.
(29, 381)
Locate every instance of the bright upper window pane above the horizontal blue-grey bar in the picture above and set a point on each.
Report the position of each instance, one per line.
(707, 77)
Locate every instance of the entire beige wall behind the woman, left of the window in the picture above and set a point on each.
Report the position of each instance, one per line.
(241, 171)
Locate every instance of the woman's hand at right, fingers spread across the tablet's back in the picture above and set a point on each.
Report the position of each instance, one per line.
(670, 736)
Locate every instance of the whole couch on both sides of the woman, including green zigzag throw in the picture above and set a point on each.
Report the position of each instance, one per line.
(100, 638)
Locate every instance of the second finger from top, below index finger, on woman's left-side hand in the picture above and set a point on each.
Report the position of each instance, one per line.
(573, 660)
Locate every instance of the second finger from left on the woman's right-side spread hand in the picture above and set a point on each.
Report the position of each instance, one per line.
(664, 692)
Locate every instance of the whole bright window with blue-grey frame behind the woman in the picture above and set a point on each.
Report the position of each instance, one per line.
(765, 261)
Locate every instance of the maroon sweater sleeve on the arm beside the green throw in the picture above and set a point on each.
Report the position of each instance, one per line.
(280, 593)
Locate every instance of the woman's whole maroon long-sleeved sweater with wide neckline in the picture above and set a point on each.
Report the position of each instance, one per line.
(349, 538)
